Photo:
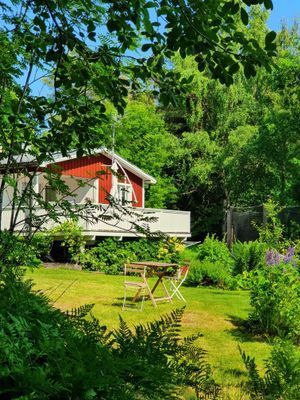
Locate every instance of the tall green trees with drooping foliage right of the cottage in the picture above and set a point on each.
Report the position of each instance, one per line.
(252, 126)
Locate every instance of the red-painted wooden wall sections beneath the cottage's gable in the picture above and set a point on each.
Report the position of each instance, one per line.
(91, 167)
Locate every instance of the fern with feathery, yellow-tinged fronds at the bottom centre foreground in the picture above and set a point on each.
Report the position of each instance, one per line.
(156, 354)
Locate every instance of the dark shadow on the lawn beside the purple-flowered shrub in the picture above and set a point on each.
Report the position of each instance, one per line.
(243, 331)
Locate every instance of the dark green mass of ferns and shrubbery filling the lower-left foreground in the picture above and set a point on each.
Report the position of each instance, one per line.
(46, 354)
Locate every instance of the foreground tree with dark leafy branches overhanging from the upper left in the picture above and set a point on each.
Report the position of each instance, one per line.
(91, 52)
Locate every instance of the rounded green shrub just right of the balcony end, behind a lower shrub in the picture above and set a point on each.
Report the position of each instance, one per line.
(213, 250)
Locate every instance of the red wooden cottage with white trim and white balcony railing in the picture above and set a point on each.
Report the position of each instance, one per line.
(105, 178)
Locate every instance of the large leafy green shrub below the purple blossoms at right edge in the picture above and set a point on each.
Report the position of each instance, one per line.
(274, 299)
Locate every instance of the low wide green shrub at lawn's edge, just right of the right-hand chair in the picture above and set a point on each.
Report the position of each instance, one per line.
(207, 273)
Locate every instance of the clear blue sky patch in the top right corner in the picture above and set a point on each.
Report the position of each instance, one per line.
(284, 10)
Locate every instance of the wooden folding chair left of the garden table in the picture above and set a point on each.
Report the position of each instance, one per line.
(135, 278)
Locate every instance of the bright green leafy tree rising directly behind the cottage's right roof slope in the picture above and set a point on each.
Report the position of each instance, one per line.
(141, 136)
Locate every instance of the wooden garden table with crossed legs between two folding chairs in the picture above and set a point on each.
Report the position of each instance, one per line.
(160, 269)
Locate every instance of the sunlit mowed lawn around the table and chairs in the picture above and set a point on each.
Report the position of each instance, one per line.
(209, 311)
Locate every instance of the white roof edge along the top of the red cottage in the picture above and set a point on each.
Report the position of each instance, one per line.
(57, 157)
